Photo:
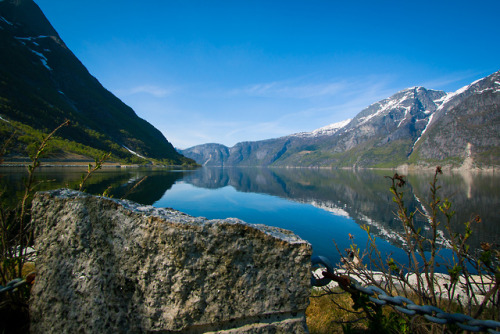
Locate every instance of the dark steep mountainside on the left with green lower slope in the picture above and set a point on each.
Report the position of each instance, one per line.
(42, 83)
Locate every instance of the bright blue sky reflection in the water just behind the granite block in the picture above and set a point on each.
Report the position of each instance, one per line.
(318, 226)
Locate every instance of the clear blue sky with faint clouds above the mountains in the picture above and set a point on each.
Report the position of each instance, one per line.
(235, 70)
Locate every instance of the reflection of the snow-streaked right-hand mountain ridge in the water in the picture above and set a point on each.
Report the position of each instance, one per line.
(364, 195)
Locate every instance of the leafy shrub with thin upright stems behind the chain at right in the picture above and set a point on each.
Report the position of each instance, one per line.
(470, 284)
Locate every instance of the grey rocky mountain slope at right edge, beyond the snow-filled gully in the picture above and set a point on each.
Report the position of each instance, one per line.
(465, 129)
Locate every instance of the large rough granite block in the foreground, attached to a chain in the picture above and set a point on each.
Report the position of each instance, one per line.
(112, 266)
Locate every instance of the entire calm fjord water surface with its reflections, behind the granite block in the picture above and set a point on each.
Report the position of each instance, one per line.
(322, 206)
